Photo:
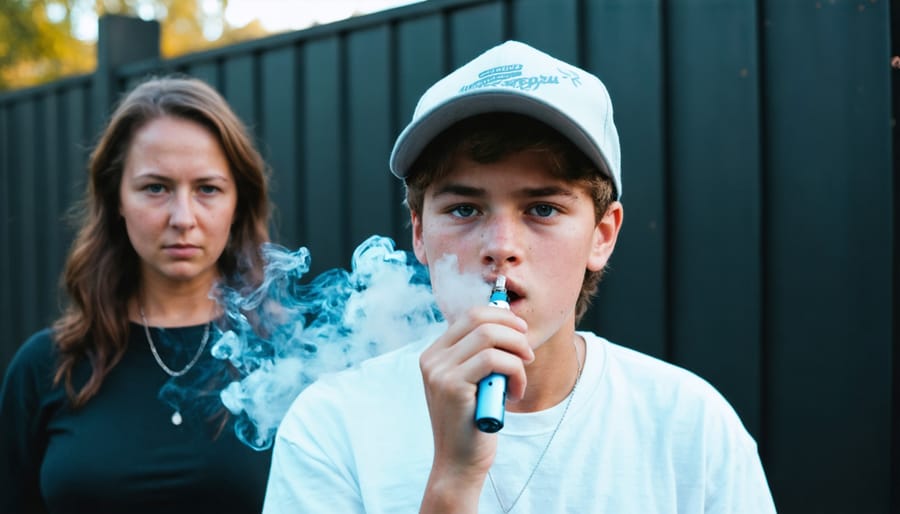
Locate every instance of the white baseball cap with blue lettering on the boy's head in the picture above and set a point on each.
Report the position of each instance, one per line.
(514, 77)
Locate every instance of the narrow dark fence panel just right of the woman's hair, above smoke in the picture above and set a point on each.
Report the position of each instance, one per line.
(283, 143)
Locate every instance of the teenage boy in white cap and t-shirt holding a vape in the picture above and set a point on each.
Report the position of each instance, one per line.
(511, 164)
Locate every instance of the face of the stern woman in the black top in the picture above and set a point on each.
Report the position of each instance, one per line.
(178, 199)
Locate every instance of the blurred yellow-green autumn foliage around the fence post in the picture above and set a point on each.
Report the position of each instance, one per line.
(43, 40)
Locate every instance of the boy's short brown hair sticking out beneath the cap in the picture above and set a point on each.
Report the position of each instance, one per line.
(489, 138)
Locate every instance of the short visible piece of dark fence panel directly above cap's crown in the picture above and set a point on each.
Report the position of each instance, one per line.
(551, 25)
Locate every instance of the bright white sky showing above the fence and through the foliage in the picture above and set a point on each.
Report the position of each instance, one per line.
(275, 15)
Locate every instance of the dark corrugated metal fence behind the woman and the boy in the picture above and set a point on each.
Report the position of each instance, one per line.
(759, 240)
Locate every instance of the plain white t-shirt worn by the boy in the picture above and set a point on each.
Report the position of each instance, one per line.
(640, 436)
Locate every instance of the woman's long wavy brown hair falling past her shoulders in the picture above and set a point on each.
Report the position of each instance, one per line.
(100, 271)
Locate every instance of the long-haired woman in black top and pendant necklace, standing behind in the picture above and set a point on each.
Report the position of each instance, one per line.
(176, 204)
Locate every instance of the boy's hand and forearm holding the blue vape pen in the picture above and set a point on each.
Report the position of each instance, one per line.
(482, 341)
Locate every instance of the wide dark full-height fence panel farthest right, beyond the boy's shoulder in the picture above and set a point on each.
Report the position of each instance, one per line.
(828, 254)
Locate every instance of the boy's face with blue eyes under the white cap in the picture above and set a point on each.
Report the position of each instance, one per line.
(513, 217)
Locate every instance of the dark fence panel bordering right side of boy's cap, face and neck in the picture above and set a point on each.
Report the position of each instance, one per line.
(623, 46)
